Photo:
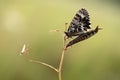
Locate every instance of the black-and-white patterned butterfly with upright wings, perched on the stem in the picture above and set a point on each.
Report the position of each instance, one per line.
(79, 24)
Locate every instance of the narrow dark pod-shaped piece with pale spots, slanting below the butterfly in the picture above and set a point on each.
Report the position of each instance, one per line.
(83, 36)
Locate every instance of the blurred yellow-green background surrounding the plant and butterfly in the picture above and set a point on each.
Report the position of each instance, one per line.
(30, 22)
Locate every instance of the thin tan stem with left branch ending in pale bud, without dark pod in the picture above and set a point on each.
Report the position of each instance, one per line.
(59, 70)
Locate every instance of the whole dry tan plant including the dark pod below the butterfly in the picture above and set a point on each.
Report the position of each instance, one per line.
(58, 70)
